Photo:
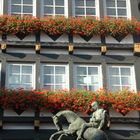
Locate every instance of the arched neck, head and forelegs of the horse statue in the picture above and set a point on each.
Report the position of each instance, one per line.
(75, 122)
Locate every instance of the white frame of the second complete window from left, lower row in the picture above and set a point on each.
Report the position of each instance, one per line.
(55, 65)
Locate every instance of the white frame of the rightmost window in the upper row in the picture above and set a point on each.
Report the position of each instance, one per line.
(128, 10)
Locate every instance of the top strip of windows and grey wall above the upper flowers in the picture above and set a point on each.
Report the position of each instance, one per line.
(77, 8)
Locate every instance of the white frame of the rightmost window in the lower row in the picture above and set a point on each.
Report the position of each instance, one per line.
(132, 76)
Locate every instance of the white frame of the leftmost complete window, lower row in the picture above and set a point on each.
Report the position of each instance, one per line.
(21, 64)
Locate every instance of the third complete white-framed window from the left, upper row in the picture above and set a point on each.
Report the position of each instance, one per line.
(86, 8)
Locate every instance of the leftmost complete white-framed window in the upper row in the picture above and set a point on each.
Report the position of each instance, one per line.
(22, 7)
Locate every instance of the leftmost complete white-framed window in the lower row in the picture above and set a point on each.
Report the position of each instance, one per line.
(20, 76)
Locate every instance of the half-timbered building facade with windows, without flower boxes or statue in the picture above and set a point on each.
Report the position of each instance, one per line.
(68, 61)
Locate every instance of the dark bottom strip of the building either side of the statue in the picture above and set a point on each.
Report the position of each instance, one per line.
(45, 134)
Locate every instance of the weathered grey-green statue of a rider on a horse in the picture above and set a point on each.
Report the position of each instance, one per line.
(78, 129)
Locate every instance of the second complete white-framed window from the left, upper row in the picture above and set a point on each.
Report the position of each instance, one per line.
(54, 7)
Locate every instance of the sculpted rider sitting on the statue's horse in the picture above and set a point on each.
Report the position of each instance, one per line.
(97, 120)
